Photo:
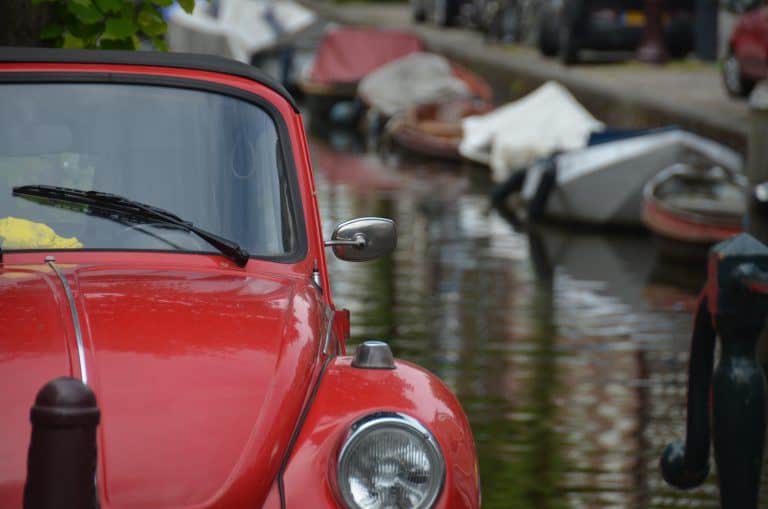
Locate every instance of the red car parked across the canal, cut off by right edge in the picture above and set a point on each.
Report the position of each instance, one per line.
(746, 62)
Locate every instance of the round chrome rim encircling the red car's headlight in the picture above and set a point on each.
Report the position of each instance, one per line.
(370, 422)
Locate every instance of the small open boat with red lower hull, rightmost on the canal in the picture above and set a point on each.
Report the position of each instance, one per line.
(691, 208)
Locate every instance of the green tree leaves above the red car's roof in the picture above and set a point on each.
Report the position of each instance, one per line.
(107, 24)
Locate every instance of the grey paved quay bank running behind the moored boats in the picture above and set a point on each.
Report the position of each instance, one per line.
(621, 93)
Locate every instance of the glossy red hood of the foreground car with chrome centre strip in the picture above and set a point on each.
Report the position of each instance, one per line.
(200, 376)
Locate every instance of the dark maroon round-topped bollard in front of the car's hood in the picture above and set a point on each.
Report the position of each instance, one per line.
(61, 465)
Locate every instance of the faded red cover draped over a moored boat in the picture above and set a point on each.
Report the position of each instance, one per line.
(346, 55)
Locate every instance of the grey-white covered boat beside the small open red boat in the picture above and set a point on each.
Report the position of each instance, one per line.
(603, 183)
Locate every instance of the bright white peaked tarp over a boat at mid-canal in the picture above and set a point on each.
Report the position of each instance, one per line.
(515, 135)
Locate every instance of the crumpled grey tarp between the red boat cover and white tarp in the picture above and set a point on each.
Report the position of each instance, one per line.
(415, 79)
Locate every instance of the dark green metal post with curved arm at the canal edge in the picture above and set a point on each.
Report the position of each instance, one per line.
(733, 306)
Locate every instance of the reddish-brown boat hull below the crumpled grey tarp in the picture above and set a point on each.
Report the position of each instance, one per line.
(434, 129)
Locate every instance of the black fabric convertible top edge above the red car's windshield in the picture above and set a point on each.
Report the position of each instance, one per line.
(152, 58)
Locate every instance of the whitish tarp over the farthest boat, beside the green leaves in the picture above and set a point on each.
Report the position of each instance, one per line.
(241, 29)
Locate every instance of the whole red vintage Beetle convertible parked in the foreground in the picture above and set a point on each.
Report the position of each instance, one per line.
(167, 320)
